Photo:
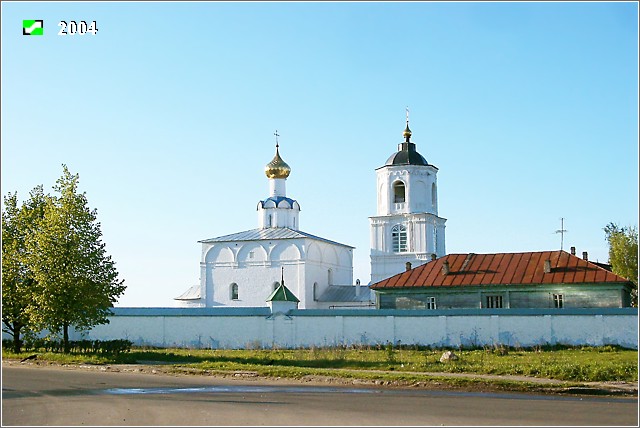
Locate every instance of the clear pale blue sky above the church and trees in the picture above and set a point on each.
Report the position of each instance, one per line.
(529, 110)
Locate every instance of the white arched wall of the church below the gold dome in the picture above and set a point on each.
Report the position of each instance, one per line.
(255, 267)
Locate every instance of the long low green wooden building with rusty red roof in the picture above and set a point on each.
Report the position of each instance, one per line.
(547, 279)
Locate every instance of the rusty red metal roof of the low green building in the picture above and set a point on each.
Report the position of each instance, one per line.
(502, 269)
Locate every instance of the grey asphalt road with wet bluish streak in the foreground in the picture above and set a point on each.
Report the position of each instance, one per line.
(60, 396)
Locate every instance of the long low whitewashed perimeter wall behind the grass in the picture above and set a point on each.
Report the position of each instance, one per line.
(258, 327)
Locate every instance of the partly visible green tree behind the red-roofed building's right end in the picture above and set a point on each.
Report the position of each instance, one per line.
(623, 254)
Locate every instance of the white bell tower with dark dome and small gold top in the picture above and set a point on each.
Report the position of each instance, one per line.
(406, 228)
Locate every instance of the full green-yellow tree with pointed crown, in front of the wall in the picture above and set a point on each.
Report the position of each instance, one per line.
(77, 280)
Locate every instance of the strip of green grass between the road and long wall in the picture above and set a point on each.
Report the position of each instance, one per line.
(572, 364)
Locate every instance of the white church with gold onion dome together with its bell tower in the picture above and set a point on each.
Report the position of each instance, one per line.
(251, 268)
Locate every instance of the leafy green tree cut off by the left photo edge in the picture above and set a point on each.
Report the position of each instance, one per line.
(18, 283)
